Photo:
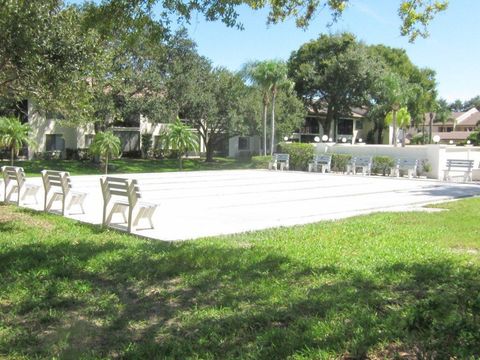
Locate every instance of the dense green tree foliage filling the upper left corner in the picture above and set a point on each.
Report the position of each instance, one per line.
(46, 55)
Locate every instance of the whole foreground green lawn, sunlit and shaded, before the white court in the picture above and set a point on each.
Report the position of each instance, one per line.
(389, 285)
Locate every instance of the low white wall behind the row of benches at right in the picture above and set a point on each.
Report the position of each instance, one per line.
(436, 155)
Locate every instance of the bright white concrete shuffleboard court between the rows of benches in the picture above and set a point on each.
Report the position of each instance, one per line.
(209, 203)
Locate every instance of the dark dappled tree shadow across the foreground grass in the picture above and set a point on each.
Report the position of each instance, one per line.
(102, 294)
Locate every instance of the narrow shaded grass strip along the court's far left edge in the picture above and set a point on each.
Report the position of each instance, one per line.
(122, 166)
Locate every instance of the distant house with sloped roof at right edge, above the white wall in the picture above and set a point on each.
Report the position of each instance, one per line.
(456, 129)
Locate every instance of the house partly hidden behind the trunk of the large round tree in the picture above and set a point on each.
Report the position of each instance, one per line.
(352, 127)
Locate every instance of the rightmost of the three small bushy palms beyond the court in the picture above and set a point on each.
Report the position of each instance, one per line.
(181, 139)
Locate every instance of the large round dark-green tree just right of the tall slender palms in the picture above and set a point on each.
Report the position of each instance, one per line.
(334, 72)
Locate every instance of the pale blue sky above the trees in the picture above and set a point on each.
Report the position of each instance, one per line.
(452, 49)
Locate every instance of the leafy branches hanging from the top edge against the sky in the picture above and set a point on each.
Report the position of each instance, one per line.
(415, 15)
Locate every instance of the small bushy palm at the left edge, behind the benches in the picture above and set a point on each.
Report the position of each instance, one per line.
(13, 135)
